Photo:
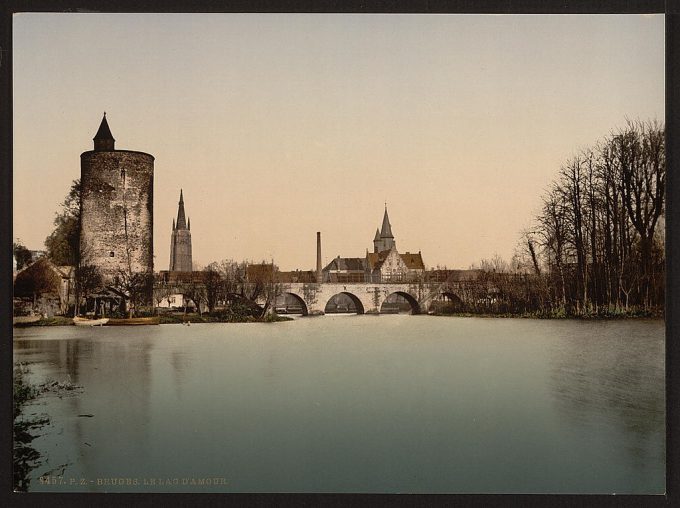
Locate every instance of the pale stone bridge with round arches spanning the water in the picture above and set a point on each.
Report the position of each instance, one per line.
(368, 297)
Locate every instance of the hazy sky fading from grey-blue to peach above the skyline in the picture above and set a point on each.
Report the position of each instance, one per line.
(277, 126)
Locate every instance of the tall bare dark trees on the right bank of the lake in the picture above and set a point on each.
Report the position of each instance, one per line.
(597, 245)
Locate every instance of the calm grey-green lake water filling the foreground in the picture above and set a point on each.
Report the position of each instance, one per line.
(389, 403)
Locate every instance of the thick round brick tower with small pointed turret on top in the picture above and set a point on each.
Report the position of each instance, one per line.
(116, 209)
